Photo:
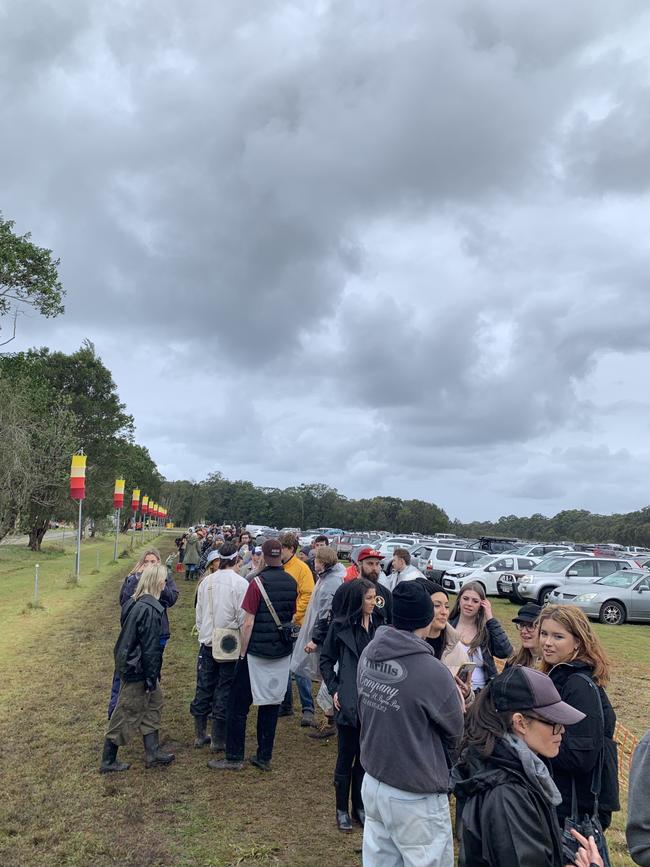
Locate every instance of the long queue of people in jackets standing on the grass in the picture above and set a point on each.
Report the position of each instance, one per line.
(410, 686)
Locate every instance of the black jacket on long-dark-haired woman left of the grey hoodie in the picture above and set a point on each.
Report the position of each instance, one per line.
(344, 644)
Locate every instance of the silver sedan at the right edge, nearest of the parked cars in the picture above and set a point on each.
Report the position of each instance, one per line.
(616, 598)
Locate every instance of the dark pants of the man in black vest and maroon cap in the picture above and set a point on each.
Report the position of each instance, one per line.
(241, 698)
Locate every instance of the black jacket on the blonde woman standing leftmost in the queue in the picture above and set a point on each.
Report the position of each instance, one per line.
(138, 655)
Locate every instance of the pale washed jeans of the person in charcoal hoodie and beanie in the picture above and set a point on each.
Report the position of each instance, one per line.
(405, 829)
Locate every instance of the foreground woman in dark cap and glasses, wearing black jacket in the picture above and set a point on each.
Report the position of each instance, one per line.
(508, 795)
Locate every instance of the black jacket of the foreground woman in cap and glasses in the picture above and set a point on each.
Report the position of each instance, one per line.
(507, 820)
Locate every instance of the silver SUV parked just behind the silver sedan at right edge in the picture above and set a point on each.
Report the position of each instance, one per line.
(538, 584)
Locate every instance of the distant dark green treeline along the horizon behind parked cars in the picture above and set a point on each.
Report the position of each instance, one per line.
(317, 505)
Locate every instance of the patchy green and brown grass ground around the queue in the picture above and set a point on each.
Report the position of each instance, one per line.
(55, 675)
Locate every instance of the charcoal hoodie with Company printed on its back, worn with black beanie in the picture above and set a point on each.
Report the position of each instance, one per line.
(408, 706)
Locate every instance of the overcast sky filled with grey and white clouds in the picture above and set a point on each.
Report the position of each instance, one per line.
(398, 247)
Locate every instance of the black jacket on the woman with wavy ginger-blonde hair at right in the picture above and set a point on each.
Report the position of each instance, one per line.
(583, 742)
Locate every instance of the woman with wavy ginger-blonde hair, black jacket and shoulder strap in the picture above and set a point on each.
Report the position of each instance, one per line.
(575, 660)
